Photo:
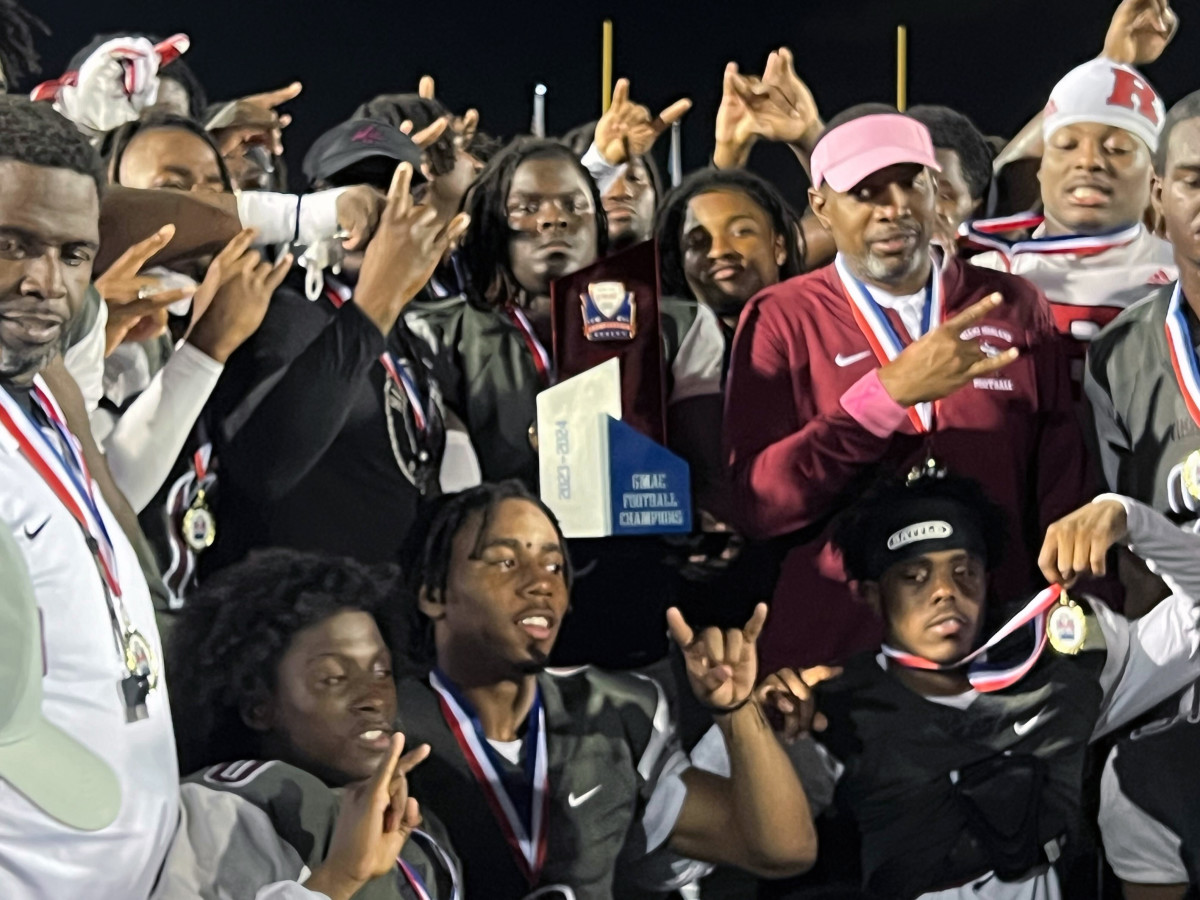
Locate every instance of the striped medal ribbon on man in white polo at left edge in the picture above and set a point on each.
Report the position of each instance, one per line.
(67, 476)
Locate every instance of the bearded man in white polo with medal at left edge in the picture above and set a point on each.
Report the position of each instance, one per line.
(104, 682)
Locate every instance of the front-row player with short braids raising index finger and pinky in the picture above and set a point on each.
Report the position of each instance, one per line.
(579, 769)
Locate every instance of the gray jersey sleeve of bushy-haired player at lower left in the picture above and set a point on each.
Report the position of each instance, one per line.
(227, 849)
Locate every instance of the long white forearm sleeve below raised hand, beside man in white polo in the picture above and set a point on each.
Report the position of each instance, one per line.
(147, 440)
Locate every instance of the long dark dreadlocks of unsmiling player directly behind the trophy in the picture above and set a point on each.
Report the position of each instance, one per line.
(485, 247)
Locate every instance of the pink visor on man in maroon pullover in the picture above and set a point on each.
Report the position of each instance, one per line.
(862, 147)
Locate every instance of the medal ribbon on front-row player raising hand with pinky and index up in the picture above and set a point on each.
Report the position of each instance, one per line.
(527, 839)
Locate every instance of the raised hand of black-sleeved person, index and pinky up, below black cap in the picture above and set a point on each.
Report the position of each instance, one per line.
(404, 253)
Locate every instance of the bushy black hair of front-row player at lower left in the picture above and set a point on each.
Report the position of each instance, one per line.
(226, 647)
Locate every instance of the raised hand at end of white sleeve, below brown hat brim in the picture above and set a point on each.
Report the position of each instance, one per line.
(244, 284)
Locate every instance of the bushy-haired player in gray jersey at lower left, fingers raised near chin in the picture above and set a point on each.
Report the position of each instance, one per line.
(287, 709)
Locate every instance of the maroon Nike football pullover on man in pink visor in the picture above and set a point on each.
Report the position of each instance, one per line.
(808, 428)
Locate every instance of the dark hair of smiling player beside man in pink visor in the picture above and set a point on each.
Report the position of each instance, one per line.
(670, 219)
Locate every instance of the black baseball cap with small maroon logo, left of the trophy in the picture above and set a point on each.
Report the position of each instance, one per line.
(349, 146)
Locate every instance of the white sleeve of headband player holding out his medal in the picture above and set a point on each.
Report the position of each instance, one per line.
(1154, 657)
